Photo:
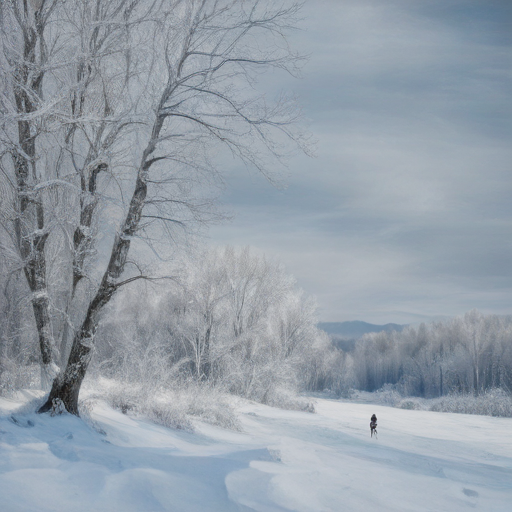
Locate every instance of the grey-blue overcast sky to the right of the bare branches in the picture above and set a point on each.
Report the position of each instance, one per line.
(406, 212)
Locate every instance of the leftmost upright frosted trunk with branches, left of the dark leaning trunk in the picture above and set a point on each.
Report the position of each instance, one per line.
(25, 57)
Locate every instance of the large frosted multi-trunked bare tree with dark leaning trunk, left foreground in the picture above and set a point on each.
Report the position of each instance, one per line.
(143, 92)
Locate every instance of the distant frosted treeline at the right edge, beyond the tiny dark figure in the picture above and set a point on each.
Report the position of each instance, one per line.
(472, 353)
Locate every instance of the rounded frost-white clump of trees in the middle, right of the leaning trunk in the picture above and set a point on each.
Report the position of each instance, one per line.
(232, 320)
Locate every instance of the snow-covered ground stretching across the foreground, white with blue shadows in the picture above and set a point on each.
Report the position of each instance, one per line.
(422, 461)
